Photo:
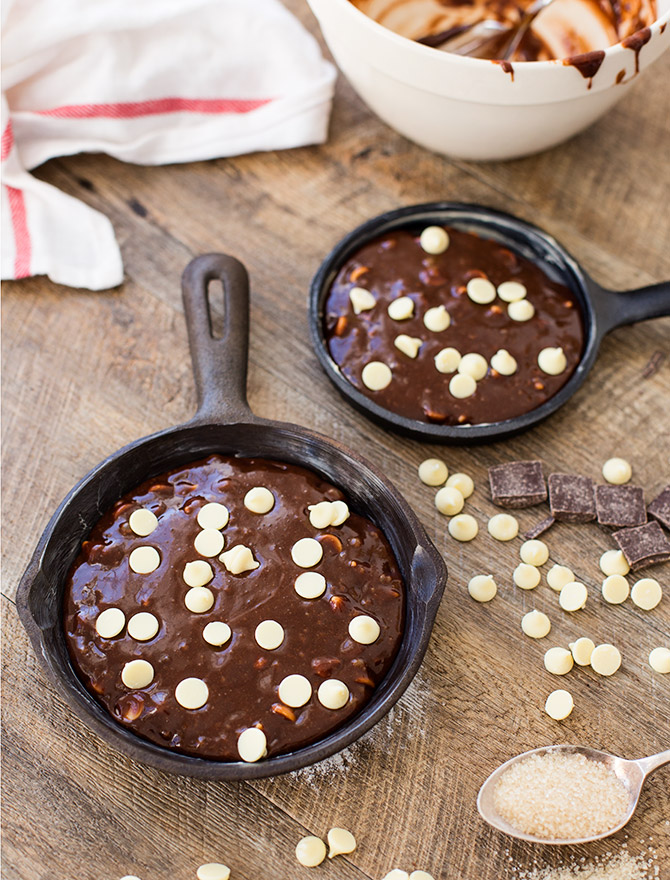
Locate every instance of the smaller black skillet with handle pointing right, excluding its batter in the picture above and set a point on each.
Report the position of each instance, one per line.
(602, 310)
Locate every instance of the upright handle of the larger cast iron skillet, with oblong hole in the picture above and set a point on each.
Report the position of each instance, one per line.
(219, 365)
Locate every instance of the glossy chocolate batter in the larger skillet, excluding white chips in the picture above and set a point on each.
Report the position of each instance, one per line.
(242, 678)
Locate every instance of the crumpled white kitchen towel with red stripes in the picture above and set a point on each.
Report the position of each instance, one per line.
(146, 81)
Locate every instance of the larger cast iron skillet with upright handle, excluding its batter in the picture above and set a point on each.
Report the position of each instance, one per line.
(225, 424)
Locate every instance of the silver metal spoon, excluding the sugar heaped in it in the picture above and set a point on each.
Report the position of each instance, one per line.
(631, 773)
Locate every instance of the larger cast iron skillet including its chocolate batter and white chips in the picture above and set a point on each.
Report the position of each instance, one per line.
(207, 687)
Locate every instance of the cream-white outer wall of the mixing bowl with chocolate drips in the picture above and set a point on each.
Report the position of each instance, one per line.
(471, 108)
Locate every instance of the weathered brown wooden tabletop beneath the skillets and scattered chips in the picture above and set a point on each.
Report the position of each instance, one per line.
(87, 372)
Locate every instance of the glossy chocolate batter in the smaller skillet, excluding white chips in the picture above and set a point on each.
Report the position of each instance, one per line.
(396, 265)
